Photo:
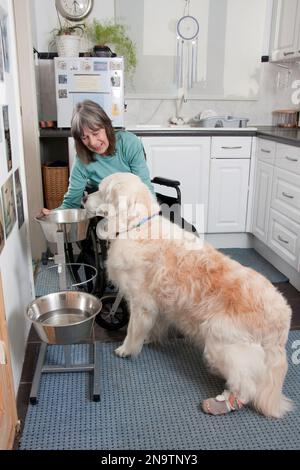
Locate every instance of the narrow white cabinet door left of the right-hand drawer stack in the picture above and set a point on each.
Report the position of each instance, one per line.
(262, 198)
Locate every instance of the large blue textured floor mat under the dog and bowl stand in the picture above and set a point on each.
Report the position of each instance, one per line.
(151, 402)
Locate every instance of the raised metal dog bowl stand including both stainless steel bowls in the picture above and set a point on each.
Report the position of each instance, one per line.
(65, 317)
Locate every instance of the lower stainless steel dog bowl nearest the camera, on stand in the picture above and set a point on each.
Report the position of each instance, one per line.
(64, 317)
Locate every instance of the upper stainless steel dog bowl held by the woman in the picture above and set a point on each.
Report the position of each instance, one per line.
(73, 222)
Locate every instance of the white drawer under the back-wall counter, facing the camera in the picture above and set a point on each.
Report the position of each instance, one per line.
(231, 147)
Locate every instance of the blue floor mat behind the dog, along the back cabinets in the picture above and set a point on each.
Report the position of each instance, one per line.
(250, 258)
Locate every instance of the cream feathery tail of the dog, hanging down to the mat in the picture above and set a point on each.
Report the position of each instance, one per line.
(269, 399)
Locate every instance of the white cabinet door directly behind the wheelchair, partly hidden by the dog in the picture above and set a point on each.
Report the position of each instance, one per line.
(185, 159)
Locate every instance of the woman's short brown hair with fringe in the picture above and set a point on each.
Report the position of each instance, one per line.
(89, 115)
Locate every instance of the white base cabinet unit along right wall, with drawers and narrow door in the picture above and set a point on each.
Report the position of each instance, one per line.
(276, 212)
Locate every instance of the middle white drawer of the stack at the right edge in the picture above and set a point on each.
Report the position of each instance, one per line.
(286, 194)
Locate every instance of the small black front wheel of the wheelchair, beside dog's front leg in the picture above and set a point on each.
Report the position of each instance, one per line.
(107, 319)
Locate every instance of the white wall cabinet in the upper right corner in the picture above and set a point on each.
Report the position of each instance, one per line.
(284, 41)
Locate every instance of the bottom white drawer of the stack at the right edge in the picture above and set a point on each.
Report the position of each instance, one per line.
(284, 237)
